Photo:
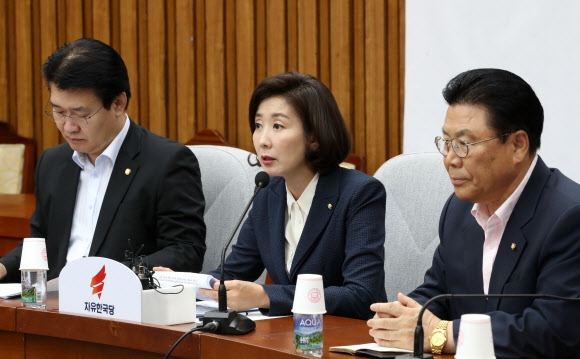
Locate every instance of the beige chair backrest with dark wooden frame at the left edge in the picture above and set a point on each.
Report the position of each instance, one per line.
(17, 156)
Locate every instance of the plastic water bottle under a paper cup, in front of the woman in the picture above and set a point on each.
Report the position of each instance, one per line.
(308, 334)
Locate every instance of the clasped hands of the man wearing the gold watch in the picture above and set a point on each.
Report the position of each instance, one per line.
(394, 323)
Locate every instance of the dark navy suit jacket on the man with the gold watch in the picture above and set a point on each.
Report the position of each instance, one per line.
(545, 230)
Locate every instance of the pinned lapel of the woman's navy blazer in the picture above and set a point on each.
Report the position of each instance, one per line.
(323, 205)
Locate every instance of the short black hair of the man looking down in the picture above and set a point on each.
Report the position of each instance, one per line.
(88, 64)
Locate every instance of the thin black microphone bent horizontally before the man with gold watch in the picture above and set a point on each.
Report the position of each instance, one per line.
(419, 336)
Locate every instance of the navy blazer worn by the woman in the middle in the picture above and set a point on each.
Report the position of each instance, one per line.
(343, 240)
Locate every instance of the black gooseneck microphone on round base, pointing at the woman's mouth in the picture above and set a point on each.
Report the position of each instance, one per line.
(230, 322)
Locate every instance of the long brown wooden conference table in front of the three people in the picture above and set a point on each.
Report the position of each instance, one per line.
(31, 333)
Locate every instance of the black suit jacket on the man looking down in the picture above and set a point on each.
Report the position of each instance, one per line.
(158, 205)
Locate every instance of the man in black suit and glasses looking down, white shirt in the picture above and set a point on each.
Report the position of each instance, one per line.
(113, 186)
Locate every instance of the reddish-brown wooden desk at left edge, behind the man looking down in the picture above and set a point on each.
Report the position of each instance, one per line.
(15, 212)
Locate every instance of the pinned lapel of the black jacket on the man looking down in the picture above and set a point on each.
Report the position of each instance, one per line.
(119, 183)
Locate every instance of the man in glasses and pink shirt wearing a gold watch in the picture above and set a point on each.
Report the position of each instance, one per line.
(511, 227)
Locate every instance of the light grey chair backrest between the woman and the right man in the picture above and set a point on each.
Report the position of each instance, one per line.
(417, 187)
